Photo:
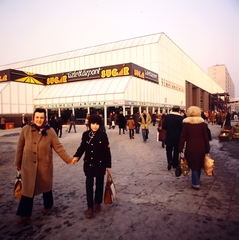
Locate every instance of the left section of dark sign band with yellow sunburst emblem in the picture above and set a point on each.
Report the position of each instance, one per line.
(20, 76)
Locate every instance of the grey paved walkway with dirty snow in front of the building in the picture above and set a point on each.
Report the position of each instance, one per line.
(151, 202)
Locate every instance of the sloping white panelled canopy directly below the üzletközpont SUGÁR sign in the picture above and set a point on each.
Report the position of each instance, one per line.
(81, 91)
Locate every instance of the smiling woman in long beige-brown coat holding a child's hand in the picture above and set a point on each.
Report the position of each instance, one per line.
(34, 157)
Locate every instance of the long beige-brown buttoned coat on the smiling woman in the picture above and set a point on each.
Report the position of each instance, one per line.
(35, 157)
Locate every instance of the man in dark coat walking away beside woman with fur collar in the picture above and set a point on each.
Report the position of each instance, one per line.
(173, 126)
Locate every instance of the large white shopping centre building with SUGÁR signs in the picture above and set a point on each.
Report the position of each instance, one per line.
(149, 72)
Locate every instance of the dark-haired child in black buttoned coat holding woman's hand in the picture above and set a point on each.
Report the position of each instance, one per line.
(97, 160)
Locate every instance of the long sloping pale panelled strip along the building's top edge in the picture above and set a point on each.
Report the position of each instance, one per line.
(154, 38)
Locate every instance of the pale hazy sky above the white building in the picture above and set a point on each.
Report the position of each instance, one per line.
(206, 30)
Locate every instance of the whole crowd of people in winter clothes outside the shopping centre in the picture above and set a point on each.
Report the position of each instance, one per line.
(180, 131)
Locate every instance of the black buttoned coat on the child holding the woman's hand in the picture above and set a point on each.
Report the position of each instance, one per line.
(97, 153)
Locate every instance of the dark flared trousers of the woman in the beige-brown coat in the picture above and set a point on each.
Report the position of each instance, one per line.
(26, 204)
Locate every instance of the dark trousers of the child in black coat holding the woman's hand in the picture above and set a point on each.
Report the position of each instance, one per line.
(98, 190)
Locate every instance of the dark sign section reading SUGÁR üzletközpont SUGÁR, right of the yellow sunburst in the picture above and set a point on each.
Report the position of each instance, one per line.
(104, 72)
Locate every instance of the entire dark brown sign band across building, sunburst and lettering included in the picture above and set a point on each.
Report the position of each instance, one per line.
(127, 69)
